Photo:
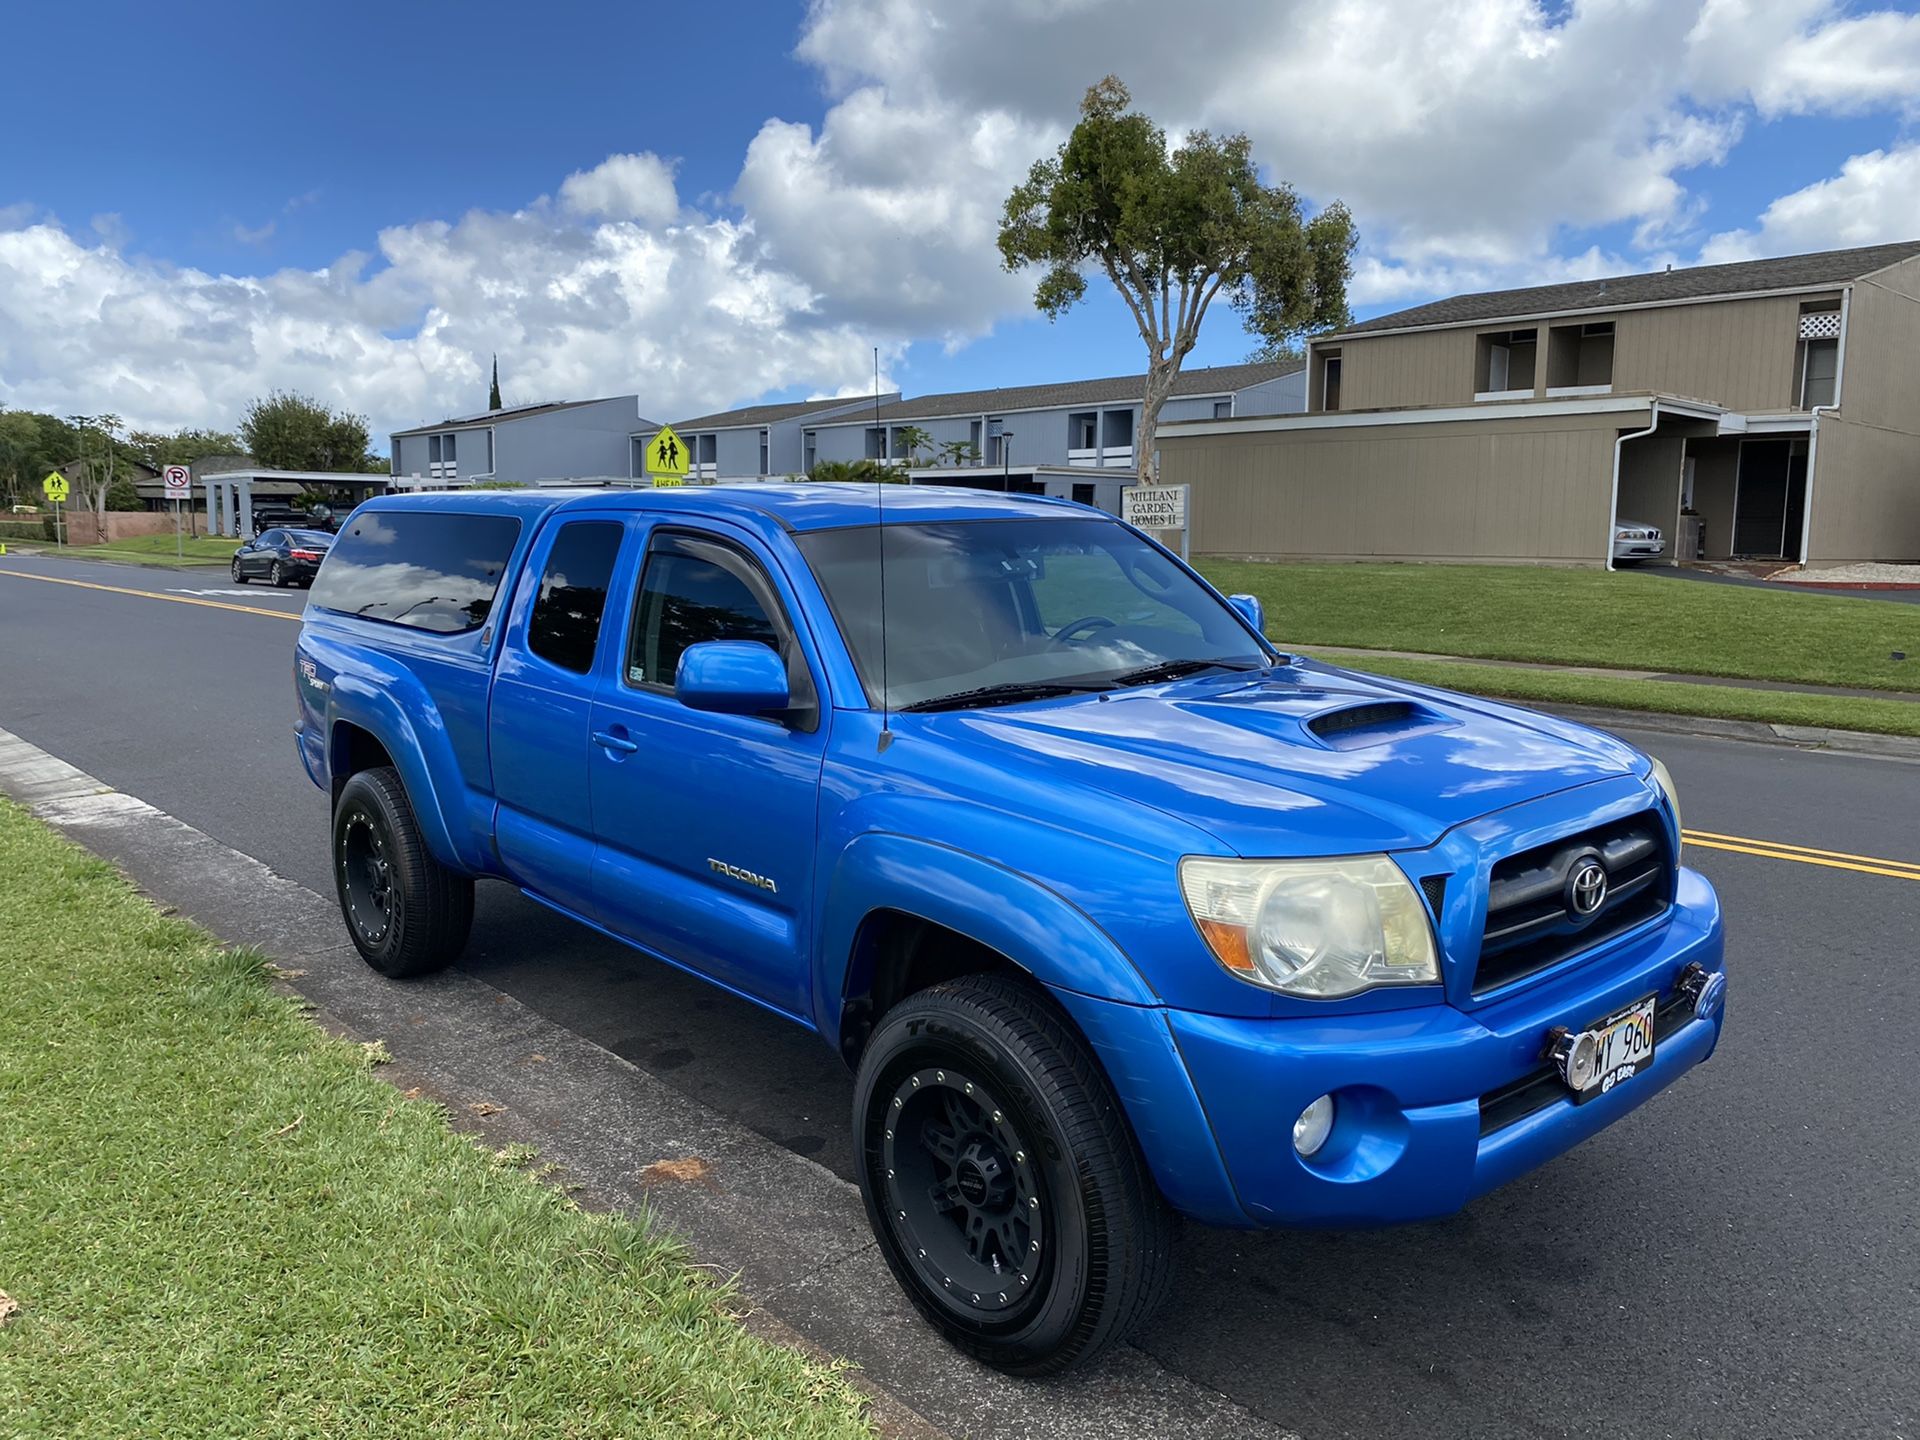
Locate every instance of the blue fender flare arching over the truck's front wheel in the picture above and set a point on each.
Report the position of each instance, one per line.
(1036, 928)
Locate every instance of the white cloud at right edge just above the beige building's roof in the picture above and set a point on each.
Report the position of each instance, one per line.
(1873, 201)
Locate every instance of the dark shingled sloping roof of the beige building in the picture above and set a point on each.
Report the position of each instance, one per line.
(1623, 291)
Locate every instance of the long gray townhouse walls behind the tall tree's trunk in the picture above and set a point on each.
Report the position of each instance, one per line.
(1076, 423)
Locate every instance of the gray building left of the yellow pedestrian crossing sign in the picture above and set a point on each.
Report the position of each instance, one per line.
(525, 444)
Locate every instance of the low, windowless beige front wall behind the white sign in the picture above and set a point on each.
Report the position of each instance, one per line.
(1514, 491)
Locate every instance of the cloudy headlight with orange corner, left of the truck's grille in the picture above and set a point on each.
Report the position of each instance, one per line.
(1314, 928)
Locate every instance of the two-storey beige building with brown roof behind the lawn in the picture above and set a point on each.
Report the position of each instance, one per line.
(1765, 410)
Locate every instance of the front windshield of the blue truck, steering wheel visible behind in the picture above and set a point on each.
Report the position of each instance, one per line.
(1001, 612)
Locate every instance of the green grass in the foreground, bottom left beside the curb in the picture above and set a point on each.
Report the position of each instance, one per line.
(218, 1222)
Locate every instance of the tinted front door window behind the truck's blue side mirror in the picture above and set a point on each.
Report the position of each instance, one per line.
(692, 592)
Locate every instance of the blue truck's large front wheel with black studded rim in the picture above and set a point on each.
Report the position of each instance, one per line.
(1001, 1178)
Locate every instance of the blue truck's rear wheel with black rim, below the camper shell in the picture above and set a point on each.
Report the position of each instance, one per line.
(408, 913)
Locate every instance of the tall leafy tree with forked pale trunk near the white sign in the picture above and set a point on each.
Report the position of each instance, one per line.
(1172, 229)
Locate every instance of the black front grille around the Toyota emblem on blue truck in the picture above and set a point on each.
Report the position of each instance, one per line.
(1531, 924)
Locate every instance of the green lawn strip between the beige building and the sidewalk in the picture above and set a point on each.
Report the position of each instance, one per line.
(1585, 617)
